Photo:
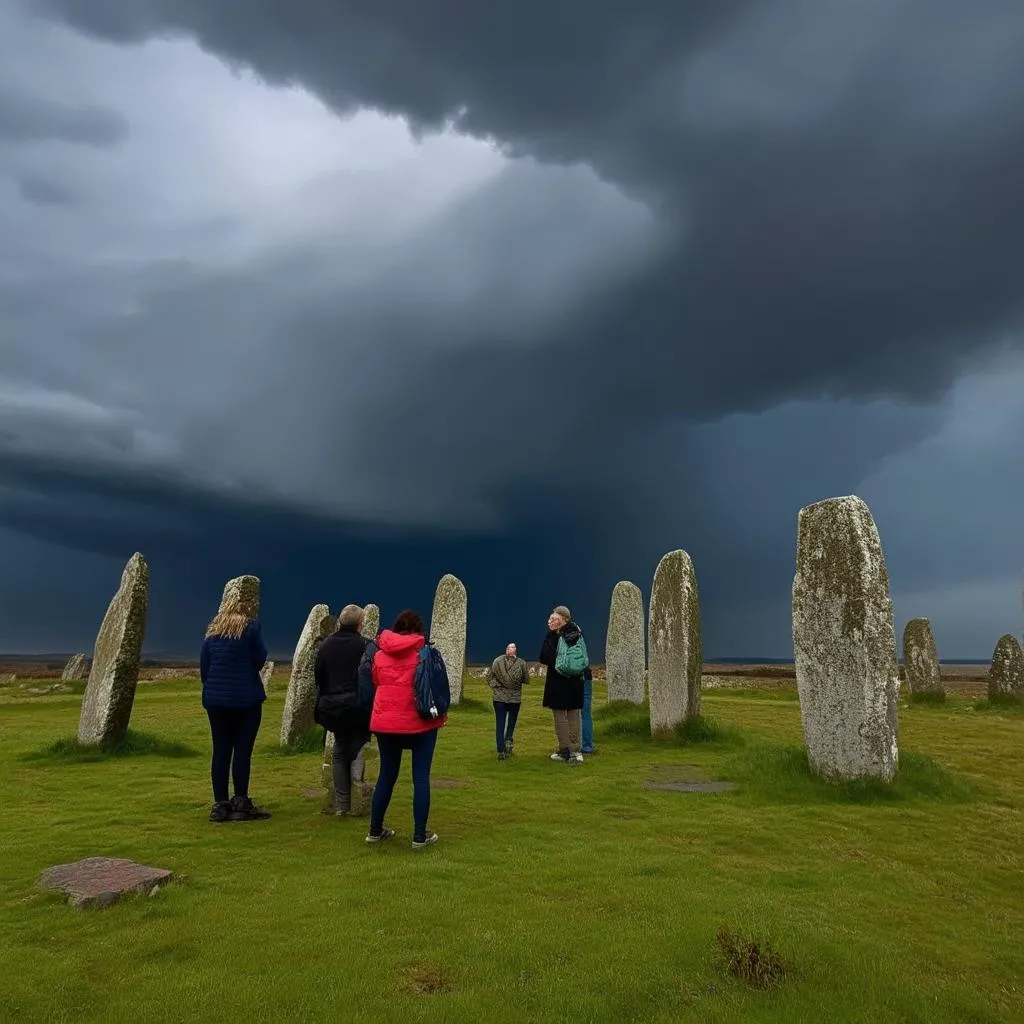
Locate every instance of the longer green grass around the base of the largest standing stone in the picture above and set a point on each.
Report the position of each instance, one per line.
(784, 774)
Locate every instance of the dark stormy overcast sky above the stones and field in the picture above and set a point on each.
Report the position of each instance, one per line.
(352, 294)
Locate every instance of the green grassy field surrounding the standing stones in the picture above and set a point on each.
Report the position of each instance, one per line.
(556, 893)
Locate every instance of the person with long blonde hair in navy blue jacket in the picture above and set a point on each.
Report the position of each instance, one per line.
(233, 696)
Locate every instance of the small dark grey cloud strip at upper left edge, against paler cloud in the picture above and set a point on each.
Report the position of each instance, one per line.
(33, 119)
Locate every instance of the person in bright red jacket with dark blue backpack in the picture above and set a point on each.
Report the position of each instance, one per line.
(399, 728)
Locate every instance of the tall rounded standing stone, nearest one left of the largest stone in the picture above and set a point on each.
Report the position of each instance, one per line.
(675, 657)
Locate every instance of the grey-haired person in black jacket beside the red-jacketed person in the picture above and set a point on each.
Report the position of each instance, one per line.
(338, 708)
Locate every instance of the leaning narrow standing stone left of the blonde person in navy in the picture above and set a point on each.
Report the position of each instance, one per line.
(114, 676)
